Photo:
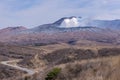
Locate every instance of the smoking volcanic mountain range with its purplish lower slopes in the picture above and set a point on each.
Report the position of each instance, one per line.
(64, 30)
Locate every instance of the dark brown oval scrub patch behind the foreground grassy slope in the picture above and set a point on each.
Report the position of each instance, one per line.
(68, 55)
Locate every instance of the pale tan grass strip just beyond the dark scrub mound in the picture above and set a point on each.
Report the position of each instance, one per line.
(82, 44)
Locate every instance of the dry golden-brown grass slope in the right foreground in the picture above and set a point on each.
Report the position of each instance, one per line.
(107, 68)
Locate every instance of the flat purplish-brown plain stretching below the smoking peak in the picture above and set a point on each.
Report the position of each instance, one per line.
(22, 36)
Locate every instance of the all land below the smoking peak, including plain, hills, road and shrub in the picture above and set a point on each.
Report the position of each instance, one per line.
(84, 54)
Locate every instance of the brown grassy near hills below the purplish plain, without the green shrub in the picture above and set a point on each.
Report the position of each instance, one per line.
(83, 60)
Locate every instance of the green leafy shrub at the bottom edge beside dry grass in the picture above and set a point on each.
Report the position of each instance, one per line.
(53, 74)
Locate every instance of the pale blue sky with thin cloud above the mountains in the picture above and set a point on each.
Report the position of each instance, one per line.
(31, 13)
